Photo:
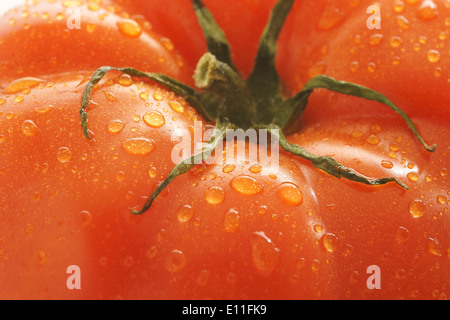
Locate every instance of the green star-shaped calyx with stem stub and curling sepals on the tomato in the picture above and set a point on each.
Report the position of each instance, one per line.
(231, 102)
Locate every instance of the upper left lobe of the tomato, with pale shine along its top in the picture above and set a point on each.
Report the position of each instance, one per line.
(94, 43)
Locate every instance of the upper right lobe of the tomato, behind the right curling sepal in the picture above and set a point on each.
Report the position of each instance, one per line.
(392, 60)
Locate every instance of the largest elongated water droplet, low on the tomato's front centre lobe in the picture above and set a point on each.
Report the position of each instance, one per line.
(265, 255)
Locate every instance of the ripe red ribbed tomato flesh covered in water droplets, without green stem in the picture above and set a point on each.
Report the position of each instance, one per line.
(221, 230)
